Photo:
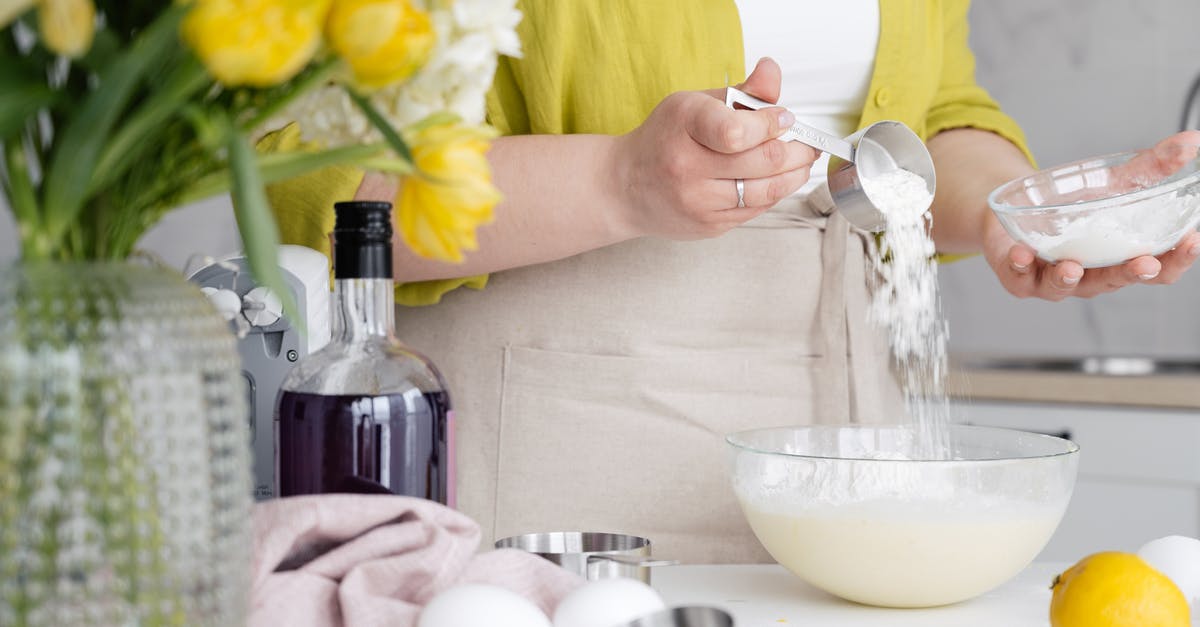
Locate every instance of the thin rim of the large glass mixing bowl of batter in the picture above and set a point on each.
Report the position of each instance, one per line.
(1072, 449)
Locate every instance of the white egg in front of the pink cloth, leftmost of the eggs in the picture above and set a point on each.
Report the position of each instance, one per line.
(481, 606)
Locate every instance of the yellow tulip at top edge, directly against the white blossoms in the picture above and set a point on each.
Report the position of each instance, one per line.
(383, 41)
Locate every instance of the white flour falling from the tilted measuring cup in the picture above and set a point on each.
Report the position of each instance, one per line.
(908, 307)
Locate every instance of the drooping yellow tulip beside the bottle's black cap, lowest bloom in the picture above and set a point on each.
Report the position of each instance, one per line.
(440, 207)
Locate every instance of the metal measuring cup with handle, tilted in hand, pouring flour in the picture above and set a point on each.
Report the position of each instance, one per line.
(878, 150)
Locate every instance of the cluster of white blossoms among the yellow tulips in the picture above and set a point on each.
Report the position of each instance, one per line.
(457, 79)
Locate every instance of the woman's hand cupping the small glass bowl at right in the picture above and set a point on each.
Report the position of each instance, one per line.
(1024, 276)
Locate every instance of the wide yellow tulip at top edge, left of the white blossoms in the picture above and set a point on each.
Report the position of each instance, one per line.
(255, 43)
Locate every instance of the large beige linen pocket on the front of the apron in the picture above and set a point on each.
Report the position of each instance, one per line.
(637, 445)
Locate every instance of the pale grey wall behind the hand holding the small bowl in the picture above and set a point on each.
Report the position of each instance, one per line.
(1083, 79)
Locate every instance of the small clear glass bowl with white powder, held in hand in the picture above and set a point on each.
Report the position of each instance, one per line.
(1103, 211)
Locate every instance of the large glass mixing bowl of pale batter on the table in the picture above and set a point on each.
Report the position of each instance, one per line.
(851, 512)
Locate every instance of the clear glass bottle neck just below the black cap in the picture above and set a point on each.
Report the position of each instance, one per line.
(363, 309)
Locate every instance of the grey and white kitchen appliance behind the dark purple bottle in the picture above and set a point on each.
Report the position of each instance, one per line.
(268, 342)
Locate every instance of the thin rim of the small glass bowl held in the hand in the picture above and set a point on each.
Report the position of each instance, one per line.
(1108, 160)
